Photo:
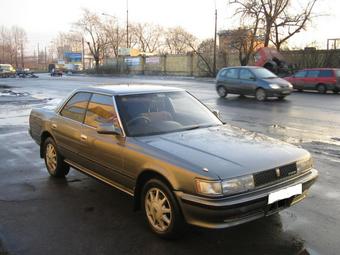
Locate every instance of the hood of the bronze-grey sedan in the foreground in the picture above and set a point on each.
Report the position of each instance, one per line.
(226, 151)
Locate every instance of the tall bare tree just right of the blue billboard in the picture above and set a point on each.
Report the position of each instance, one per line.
(92, 27)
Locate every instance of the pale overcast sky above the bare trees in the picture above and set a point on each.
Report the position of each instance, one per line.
(43, 19)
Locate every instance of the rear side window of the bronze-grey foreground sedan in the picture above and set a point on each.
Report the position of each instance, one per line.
(75, 108)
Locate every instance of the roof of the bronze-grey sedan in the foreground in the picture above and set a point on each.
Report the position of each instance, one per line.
(130, 89)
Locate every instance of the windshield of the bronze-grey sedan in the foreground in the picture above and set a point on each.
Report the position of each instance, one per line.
(159, 113)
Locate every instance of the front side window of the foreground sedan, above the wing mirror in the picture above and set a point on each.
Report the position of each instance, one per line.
(100, 111)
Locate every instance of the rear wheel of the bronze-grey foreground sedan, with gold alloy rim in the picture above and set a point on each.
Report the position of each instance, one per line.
(54, 162)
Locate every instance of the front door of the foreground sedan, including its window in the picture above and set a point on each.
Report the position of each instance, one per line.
(102, 153)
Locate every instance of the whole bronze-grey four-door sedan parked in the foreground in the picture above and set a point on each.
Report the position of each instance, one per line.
(177, 160)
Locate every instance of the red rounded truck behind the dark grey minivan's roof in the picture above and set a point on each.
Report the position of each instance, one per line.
(272, 60)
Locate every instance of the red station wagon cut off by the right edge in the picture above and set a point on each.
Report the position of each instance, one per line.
(320, 79)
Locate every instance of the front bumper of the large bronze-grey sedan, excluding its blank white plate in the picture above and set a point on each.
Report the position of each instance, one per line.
(234, 210)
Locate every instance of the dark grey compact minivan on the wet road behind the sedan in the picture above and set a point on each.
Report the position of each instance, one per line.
(250, 80)
